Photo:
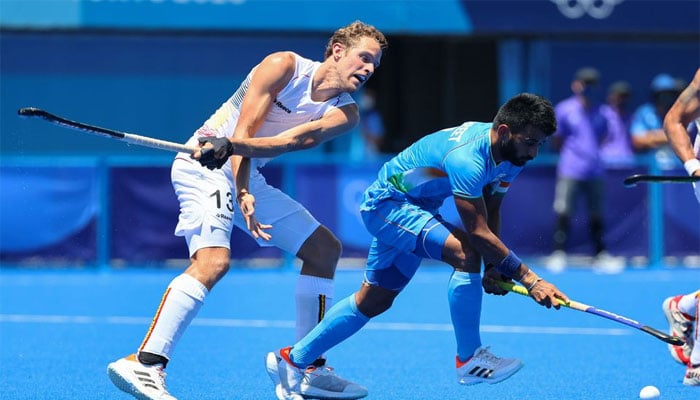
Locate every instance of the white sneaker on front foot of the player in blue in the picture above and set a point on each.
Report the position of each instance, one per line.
(486, 367)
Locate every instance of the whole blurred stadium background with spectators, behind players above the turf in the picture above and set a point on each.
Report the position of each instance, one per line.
(159, 68)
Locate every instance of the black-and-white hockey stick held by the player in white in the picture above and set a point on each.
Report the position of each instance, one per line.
(104, 132)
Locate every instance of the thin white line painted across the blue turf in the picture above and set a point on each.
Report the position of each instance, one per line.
(260, 323)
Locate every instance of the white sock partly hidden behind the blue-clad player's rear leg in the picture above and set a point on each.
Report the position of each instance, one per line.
(314, 296)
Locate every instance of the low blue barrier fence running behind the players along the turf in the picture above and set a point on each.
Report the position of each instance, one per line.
(122, 211)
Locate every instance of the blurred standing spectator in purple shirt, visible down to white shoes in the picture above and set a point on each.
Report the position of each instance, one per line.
(581, 128)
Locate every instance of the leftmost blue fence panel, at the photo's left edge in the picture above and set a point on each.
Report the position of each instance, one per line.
(49, 213)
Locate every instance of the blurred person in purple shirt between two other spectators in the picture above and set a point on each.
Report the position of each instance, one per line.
(616, 150)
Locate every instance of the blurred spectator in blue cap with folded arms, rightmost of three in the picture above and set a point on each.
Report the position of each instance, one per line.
(647, 121)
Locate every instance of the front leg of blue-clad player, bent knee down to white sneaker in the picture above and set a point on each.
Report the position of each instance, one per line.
(474, 362)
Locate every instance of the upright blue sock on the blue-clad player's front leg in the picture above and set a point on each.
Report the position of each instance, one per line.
(464, 295)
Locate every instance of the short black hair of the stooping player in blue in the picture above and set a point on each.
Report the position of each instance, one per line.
(527, 109)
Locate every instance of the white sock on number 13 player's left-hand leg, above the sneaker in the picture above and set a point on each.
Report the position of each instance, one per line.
(180, 304)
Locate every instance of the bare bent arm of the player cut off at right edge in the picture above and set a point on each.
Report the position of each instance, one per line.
(683, 112)
